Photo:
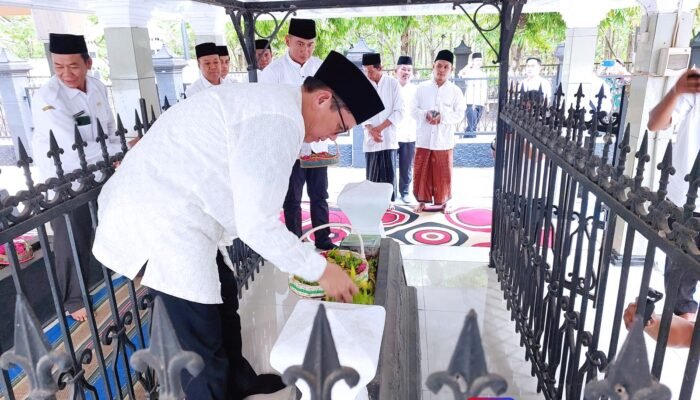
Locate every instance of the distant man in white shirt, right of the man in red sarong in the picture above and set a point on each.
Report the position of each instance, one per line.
(475, 92)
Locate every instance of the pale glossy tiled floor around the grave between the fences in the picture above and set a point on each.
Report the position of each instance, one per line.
(450, 282)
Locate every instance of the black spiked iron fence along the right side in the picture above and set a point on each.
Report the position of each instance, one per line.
(557, 205)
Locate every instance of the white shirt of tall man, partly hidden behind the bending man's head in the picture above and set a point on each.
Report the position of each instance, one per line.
(284, 70)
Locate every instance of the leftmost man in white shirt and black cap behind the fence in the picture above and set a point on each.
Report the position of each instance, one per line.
(71, 98)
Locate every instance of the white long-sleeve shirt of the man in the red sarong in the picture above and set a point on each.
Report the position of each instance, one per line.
(446, 99)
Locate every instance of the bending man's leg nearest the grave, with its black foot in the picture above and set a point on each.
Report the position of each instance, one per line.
(242, 379)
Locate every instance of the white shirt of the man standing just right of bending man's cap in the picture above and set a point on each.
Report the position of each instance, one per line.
(389, 90)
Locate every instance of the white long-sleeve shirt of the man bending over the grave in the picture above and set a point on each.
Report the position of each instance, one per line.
(215, 166)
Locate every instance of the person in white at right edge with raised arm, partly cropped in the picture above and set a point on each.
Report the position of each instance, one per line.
(681, 107)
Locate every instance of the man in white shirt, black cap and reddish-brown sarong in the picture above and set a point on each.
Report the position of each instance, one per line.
(438, 108)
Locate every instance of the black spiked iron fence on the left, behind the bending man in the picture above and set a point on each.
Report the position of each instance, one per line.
(55, 353)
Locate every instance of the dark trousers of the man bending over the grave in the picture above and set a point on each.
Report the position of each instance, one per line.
(214, 332)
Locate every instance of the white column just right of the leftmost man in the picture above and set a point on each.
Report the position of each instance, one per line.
(129, 53)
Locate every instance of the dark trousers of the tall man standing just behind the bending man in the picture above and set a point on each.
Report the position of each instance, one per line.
(316, 180)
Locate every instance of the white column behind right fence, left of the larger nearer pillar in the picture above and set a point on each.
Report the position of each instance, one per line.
(582, 19)
